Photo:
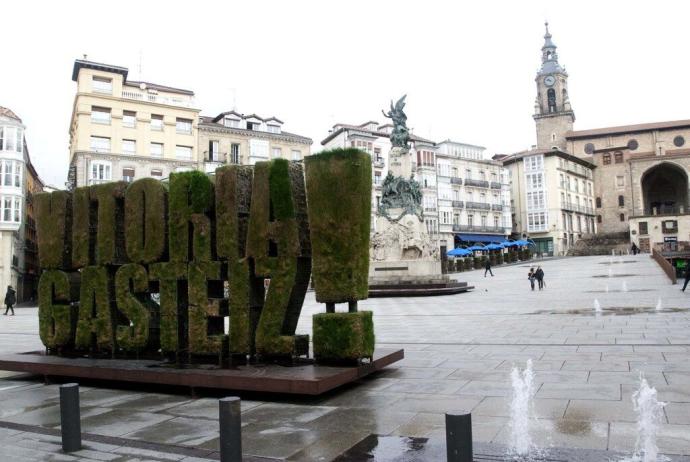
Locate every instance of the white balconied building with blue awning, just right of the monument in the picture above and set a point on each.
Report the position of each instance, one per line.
(473, 195)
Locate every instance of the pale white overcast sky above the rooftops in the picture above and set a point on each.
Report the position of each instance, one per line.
(468, 67)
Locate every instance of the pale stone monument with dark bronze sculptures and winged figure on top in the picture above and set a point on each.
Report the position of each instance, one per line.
(403, 257)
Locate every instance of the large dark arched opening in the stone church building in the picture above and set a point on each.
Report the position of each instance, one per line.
(665, 189)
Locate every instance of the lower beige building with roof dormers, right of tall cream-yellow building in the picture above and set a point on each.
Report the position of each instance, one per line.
(235, 138)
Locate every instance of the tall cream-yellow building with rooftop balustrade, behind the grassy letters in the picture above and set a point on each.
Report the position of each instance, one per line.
(123, 129)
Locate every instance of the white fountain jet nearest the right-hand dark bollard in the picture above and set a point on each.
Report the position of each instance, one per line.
(521, 410)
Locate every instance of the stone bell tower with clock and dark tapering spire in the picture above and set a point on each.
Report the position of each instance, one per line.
(553, 114)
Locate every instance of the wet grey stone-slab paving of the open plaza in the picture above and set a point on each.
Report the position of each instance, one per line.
(458, 354)
